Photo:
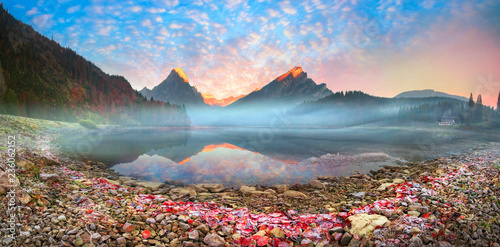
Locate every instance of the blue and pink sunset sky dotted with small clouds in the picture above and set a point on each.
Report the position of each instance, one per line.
(228, 48)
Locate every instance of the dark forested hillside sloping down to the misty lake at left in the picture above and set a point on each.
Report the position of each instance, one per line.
(41, 79)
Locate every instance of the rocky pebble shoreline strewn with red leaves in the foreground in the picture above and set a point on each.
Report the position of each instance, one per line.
(449, 201)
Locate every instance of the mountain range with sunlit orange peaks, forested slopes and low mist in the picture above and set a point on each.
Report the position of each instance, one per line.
(41, 79)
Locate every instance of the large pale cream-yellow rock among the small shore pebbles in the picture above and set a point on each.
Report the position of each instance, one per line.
(363, 224)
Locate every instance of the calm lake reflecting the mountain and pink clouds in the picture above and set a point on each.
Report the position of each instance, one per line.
(236, 156)
